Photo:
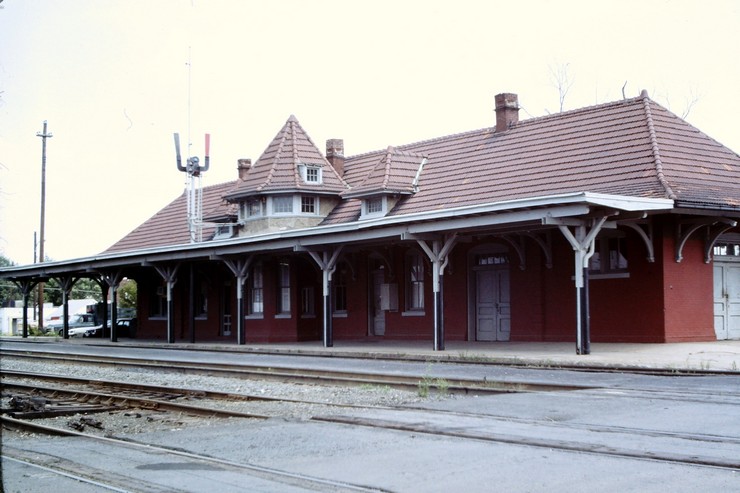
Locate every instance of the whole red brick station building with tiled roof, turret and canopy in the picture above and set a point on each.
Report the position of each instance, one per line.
(611, 223)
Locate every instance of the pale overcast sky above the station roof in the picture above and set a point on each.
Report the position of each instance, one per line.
(115, 79)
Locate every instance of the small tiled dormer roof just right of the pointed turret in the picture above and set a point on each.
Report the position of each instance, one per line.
(395, 173)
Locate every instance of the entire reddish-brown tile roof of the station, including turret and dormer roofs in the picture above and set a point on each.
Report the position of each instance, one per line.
(632, 148)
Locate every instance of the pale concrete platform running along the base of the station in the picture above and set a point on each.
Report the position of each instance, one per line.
(720, 356)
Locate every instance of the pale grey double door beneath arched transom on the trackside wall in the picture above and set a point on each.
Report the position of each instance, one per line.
(492, 305)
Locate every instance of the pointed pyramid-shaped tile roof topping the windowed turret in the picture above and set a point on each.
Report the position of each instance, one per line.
(277, 168)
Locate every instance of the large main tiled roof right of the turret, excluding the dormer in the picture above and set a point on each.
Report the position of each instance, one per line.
(608, 148)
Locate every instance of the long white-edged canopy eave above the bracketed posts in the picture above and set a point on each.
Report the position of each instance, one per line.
(468, 218)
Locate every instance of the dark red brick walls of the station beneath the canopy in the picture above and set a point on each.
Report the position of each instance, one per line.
(663, 301)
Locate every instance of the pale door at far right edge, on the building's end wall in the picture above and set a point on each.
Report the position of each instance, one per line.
(727, 300)
